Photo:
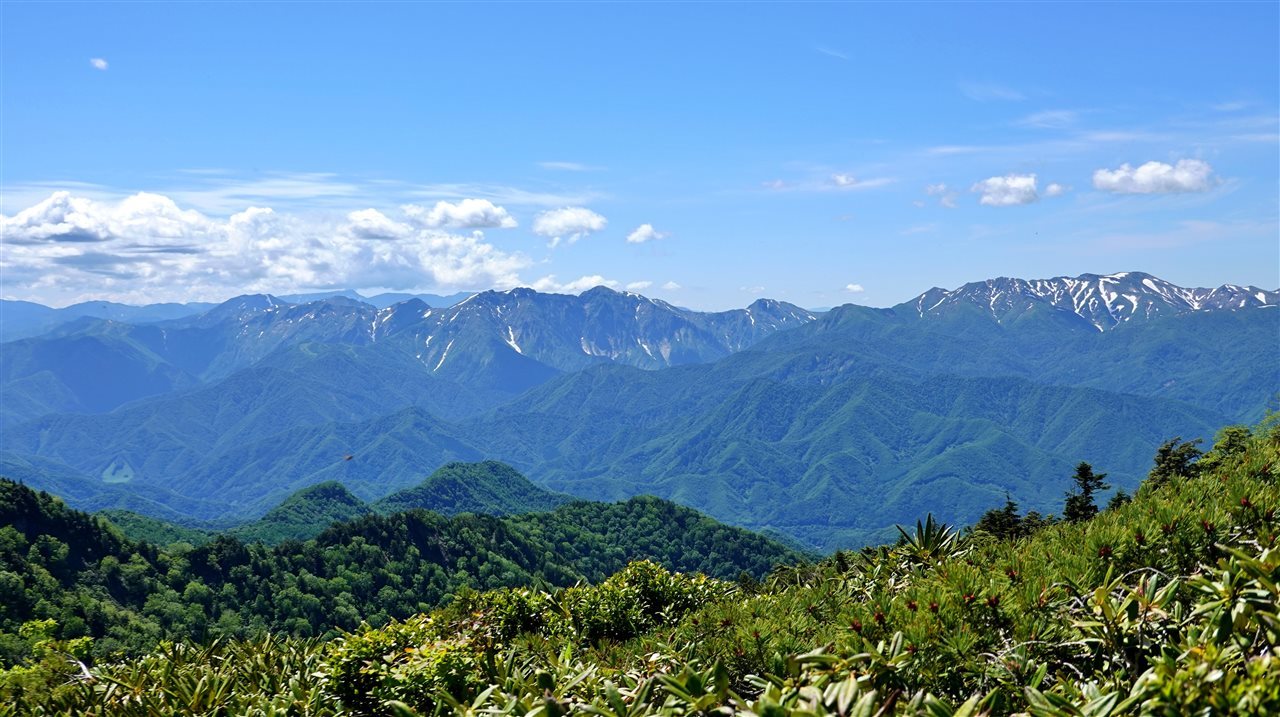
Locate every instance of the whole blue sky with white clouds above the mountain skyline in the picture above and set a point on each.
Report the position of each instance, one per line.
(819, 154)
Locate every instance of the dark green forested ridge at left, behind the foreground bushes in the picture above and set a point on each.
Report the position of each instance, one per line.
(79, 570)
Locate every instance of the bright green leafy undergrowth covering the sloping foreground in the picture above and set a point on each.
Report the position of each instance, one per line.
(1167, 605)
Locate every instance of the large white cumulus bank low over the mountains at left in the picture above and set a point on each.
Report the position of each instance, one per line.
(147, 249)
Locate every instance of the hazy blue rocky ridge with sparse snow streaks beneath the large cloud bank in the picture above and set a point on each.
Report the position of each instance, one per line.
(493, 344)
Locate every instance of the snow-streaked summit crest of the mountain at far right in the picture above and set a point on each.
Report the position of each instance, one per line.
(1101, 300)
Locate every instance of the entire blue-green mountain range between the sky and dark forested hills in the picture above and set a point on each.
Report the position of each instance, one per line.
(829, 428)
